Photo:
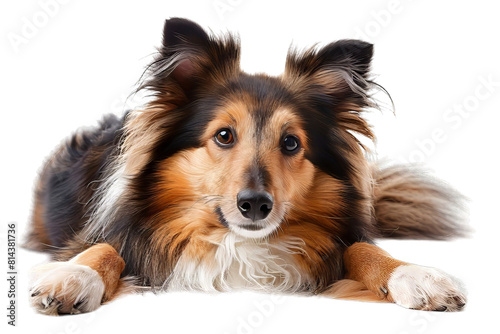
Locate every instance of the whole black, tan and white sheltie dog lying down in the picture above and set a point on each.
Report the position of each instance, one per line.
(227, 180)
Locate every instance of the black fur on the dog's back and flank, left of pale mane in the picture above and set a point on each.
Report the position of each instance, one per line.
(70, 178)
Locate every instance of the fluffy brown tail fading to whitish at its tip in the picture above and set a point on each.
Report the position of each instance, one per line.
(409, 204)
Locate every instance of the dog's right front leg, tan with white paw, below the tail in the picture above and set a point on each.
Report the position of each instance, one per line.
(405, 284)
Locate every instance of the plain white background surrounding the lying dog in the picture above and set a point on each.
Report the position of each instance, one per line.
(82, 58)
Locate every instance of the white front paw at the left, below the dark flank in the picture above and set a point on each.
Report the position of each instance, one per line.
(66, 288)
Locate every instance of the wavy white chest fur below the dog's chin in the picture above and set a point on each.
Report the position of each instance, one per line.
(242, 263)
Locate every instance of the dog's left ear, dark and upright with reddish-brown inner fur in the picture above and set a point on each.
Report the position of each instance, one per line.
(190, 58)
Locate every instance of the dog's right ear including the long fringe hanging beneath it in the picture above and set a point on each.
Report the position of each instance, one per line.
(337, 77)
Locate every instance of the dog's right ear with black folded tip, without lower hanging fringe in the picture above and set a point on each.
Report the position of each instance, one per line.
(340, 69)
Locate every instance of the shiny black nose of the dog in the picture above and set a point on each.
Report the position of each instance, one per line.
(255, 205)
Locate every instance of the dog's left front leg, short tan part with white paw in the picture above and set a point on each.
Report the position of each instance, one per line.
(78, 285)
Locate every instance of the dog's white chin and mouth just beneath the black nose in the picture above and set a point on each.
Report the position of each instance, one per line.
(245, 227)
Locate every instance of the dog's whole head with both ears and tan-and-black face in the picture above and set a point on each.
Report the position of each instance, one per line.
(253, 152)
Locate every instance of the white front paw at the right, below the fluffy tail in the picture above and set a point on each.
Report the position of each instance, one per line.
(424, 288)
